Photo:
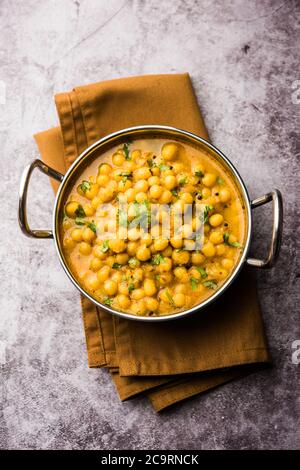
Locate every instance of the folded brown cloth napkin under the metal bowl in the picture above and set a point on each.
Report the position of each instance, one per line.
(173, 360)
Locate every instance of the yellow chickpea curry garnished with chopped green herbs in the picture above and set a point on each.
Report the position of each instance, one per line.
(127, 237)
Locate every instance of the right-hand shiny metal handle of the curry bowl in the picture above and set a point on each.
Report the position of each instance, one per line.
(276, 198)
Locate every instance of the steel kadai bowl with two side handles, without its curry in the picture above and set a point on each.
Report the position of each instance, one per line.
(145, 132)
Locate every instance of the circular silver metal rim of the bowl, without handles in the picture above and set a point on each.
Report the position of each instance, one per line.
(153, 128)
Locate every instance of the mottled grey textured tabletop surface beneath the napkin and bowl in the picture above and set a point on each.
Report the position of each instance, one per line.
(243, 58)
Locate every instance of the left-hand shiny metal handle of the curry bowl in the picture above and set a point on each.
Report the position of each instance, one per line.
(23, 197)
